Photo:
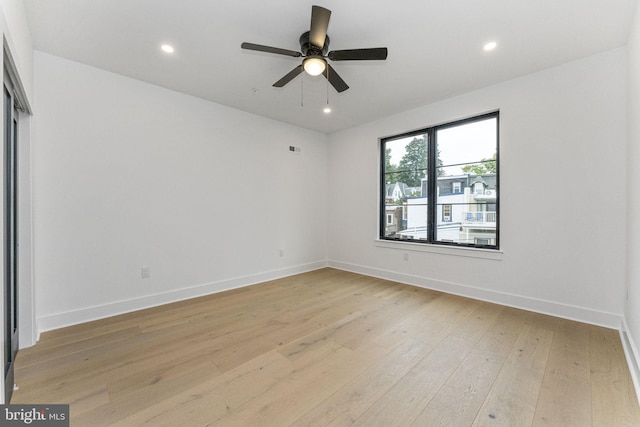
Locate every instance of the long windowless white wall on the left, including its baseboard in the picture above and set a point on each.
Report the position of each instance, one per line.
(127, 175)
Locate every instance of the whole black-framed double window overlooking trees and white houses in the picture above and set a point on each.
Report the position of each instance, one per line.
(450, 172)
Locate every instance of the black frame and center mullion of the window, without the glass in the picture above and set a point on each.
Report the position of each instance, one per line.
(432, 168)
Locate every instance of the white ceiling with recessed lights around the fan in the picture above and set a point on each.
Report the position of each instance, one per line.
(435, 47)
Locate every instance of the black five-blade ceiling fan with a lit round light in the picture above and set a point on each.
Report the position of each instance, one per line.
(314, 45)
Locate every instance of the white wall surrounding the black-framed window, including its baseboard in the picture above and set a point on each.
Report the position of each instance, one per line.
(562, 151)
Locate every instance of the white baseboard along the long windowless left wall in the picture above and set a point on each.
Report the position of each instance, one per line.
(87, 314)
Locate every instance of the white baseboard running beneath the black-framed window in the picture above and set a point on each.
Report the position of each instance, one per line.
(580, 314)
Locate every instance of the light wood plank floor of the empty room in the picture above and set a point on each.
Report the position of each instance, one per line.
(332, 348)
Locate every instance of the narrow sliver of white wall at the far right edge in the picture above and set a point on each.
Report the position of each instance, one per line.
(633, 201)
